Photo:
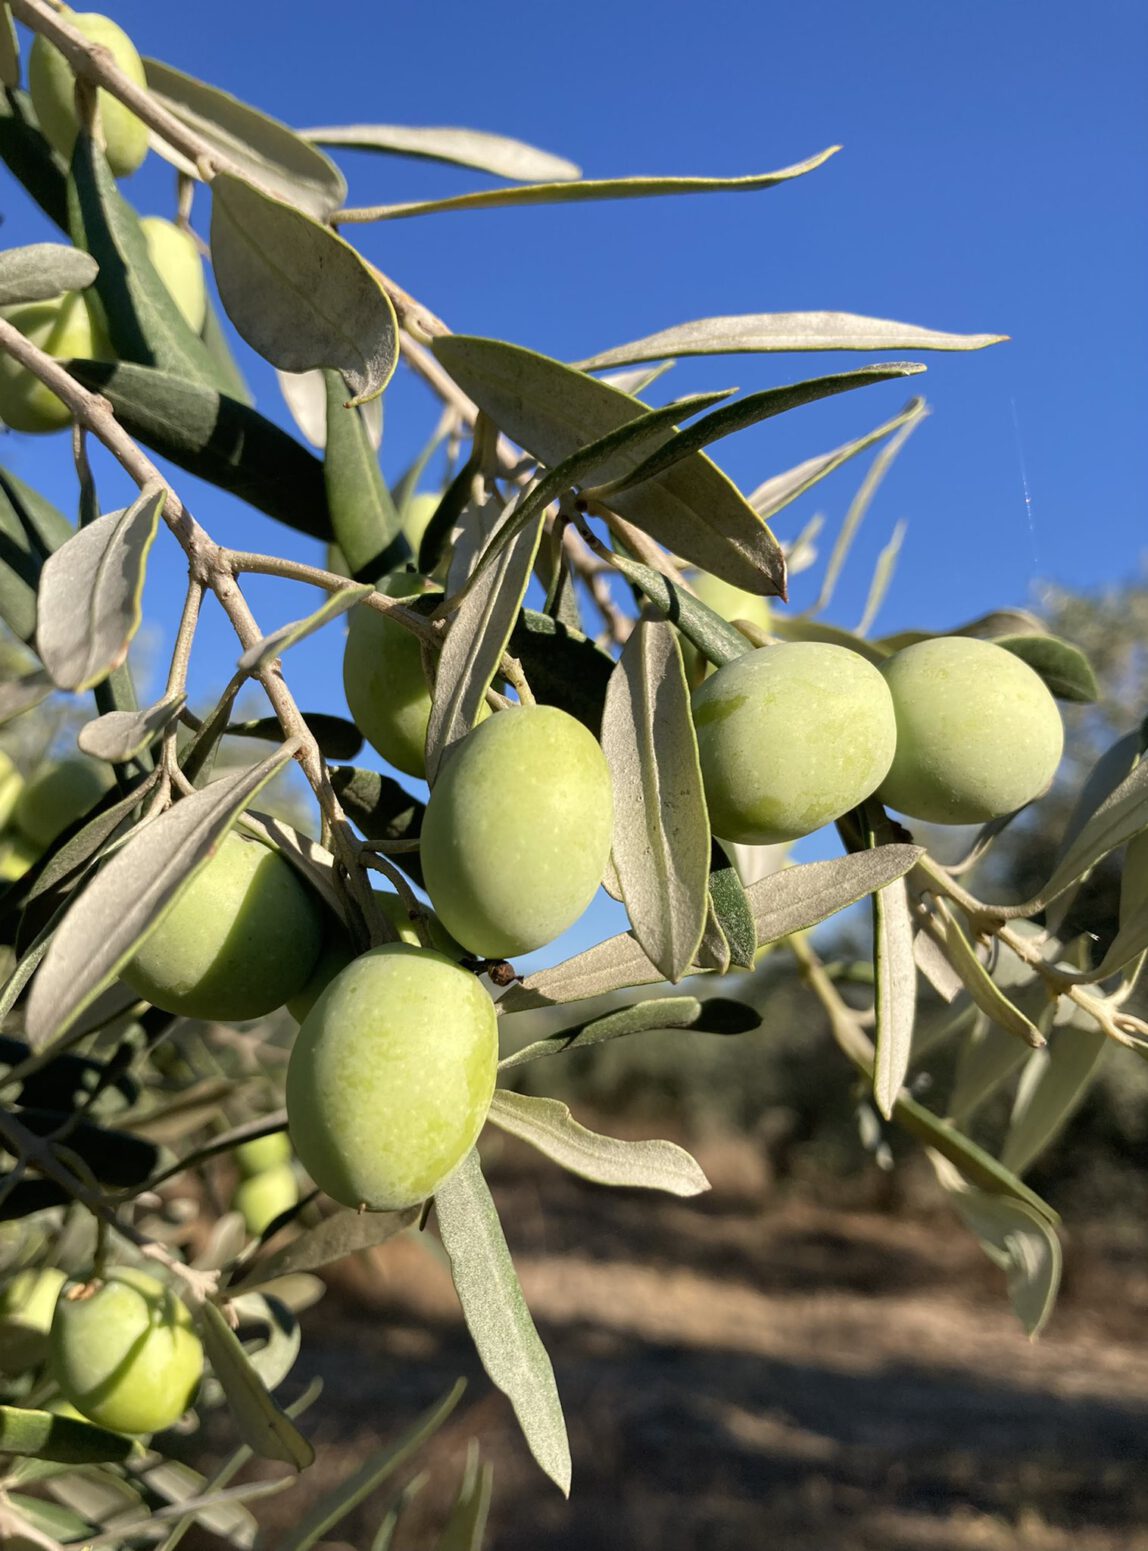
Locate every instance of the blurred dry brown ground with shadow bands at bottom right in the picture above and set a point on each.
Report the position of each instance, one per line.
(753, 1372)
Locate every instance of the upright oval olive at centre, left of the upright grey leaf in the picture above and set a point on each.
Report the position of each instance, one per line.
(517, 831)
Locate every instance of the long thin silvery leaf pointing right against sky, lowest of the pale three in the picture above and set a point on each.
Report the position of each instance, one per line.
(786, 331)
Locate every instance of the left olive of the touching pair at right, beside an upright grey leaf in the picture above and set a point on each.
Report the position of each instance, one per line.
(790, 738)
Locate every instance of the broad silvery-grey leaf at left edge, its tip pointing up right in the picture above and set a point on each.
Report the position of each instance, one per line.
(91, 590)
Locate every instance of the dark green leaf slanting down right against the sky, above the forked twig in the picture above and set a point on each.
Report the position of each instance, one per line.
(218, 440)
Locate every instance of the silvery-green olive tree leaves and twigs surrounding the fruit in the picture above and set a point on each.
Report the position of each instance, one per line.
(561, 472)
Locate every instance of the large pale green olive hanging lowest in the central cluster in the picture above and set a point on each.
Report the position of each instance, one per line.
(392, 1077)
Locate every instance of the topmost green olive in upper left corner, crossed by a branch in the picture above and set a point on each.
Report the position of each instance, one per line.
(54, 92)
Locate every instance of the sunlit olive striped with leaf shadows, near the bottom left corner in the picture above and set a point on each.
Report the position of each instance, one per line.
(126, 1355)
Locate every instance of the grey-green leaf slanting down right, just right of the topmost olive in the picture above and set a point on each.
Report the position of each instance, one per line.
(258, 145)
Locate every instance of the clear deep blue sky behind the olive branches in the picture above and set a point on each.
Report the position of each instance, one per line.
(992, 179)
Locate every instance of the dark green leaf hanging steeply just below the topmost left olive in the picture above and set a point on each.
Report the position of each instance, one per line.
(145, 323)
